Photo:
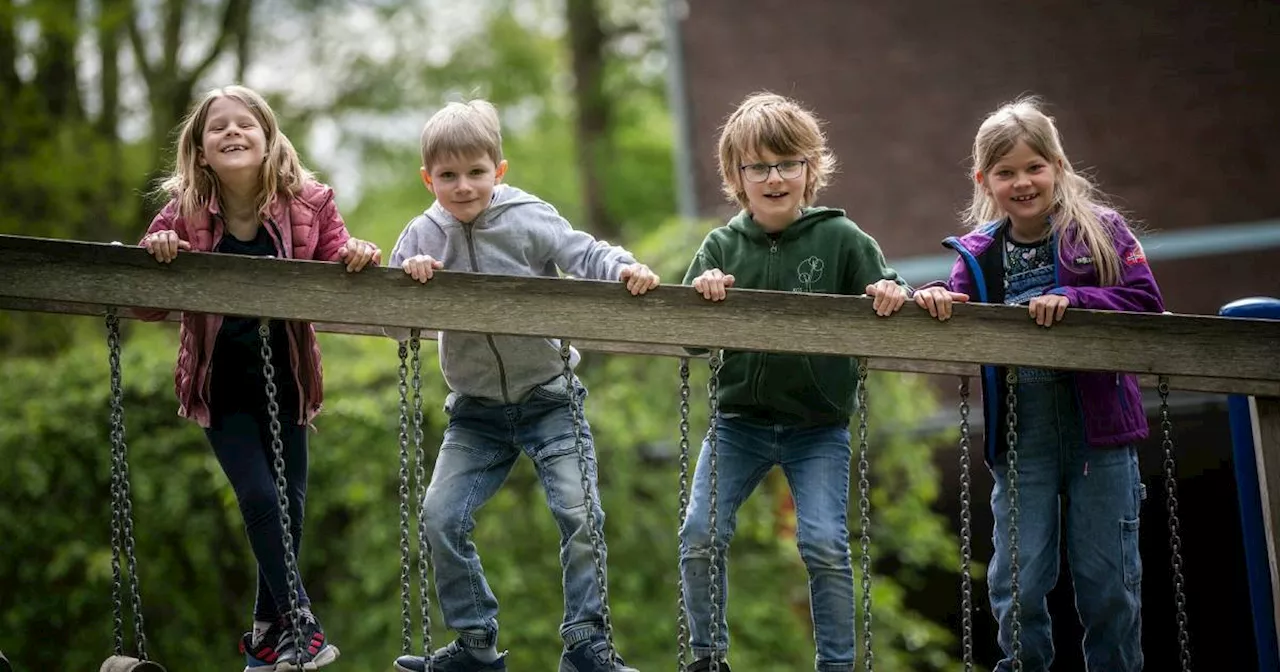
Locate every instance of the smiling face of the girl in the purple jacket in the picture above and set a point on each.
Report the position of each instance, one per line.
(1022, 184)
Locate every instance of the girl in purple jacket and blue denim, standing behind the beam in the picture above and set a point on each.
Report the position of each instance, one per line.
(1044, 240)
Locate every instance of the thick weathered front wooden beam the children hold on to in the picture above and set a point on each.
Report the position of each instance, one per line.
(1197, 348)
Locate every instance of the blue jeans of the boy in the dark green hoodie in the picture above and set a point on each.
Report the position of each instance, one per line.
(816, 463)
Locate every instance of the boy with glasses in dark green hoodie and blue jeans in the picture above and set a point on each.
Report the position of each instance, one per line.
(785, 410)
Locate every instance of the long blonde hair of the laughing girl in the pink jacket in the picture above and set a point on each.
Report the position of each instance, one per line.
(195, 186)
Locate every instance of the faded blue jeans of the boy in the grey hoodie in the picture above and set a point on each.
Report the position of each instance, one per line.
(481, 447)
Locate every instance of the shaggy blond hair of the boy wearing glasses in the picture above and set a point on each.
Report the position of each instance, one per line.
(781, 126)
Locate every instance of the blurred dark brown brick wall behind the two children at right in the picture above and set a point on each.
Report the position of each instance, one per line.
(1174, 107)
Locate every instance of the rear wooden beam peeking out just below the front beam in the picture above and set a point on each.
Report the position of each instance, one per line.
(1218, 386)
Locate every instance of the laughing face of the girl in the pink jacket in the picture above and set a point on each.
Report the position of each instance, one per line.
(234, 144)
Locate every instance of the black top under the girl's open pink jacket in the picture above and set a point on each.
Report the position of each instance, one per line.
(237, 380)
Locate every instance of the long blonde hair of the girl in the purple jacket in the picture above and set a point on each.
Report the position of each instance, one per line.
(1076, 199)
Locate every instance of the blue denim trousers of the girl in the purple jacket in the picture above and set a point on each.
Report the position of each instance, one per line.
(1091, 495)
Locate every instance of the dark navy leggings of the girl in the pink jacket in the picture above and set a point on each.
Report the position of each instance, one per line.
(243, 444)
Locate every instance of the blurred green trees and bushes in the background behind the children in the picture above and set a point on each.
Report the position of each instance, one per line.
(72, 170)
